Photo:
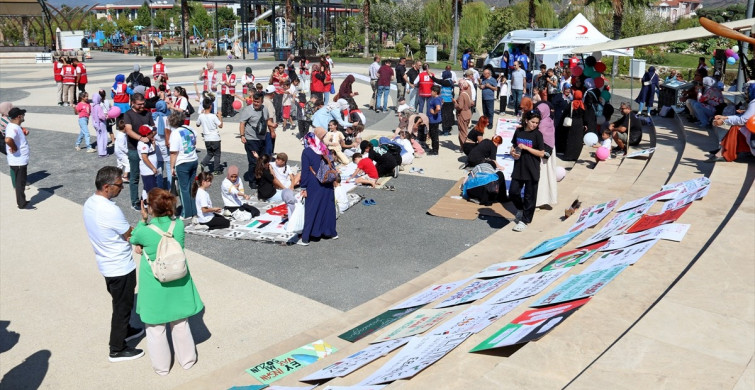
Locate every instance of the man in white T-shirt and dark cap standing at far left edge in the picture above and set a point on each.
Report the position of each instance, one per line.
(17, 151)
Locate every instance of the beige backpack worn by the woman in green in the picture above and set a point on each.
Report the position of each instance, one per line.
(170, 260)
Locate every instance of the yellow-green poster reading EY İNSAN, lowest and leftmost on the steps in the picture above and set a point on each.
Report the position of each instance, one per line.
(279, 367)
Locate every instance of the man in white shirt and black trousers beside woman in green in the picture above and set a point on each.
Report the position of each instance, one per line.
(109, 232)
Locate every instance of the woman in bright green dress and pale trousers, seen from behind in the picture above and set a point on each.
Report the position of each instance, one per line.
(159, 304)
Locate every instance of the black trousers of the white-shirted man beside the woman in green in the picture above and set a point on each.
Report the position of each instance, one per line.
(121, 289)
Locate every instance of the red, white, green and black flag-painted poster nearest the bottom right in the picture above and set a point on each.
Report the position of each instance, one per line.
(531, 325)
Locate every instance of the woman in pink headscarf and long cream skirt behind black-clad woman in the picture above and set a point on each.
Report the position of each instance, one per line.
(547, 189)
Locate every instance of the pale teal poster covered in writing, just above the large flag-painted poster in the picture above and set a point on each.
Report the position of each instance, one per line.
(579, 286)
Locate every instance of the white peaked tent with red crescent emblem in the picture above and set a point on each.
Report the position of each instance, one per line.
(579, 32)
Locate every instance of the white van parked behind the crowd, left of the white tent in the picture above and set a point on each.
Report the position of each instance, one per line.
(523, 39)
